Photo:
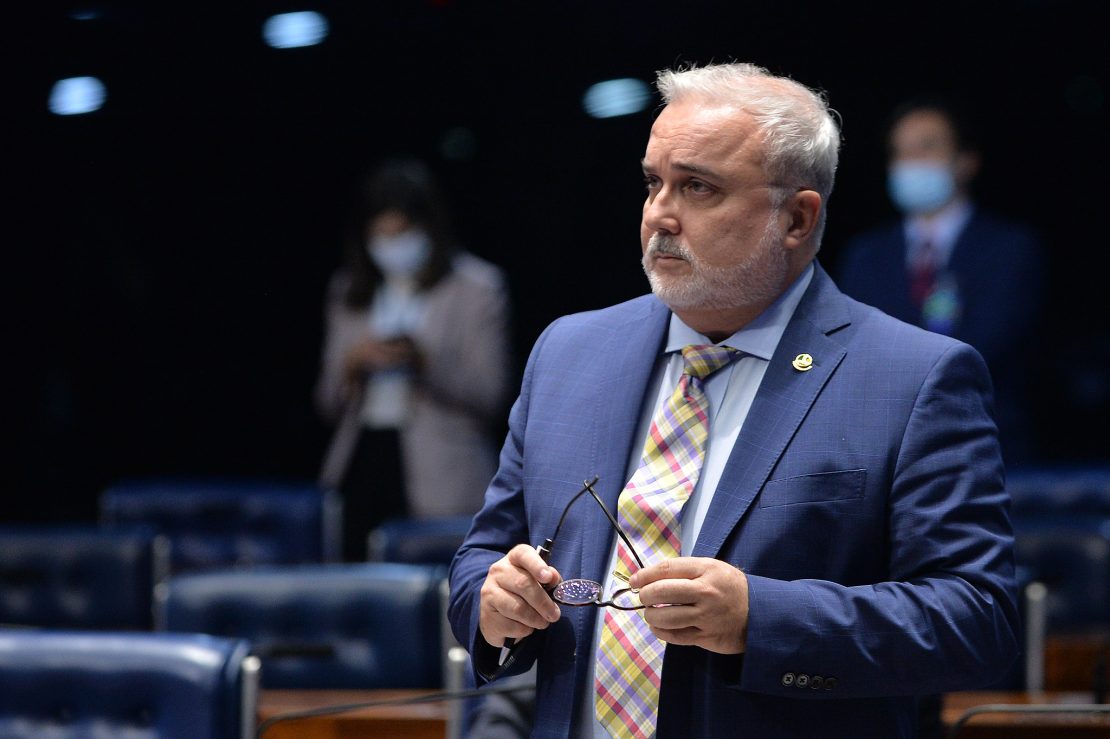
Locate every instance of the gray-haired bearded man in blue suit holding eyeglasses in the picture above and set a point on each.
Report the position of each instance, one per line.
(847, 545)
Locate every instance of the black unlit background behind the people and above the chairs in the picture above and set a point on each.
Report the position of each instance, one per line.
(168, 255)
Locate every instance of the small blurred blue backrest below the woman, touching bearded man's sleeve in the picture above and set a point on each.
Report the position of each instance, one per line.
(419, 541)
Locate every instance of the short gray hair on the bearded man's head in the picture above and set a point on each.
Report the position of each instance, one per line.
(801, 137)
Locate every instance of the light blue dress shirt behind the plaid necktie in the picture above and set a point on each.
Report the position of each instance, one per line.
(730, 392)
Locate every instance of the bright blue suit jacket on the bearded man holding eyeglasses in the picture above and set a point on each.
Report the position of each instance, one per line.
(864, 500)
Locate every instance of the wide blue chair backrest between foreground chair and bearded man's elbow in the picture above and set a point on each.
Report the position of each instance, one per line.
(368, 625)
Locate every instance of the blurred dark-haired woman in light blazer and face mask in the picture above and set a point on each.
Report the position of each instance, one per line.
(416, 367)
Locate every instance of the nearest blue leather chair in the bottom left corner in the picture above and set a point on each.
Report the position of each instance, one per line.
(77, 685)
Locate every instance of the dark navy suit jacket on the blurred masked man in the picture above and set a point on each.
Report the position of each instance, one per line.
(1000, 275)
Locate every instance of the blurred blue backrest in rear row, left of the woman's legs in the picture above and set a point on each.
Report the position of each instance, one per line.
(223, 523)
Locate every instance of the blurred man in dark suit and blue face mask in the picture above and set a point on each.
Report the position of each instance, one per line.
(952, 267)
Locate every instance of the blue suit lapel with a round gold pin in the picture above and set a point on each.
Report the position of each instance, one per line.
(783, 401)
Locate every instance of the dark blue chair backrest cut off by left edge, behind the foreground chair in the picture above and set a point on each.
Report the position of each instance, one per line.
(78, 576)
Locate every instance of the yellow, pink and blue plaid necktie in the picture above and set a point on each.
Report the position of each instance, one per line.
(630, 657)
